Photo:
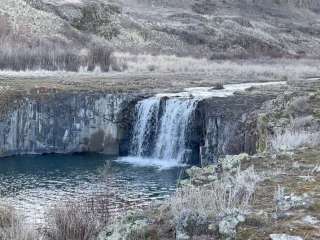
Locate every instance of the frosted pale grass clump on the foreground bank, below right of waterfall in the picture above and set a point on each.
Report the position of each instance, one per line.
(227, 196)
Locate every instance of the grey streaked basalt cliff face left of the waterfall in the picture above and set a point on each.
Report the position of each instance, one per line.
(66, 123)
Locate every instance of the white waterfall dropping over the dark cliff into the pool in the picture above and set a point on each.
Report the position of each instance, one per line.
(161, 128)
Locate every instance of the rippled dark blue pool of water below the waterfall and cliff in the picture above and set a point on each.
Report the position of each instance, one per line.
(35, 183)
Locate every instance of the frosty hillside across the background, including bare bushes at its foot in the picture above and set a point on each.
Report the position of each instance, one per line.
(68, 34)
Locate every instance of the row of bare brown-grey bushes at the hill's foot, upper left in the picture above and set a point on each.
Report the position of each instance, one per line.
(19, 54)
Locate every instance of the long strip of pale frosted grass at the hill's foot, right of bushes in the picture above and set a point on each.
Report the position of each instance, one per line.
(283, 69)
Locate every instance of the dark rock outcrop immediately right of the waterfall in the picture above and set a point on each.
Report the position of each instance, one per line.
(225, 129)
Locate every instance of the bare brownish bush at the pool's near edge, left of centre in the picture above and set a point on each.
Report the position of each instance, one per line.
(78, 220)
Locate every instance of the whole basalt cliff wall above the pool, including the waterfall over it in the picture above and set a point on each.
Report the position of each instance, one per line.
(120, 124)
